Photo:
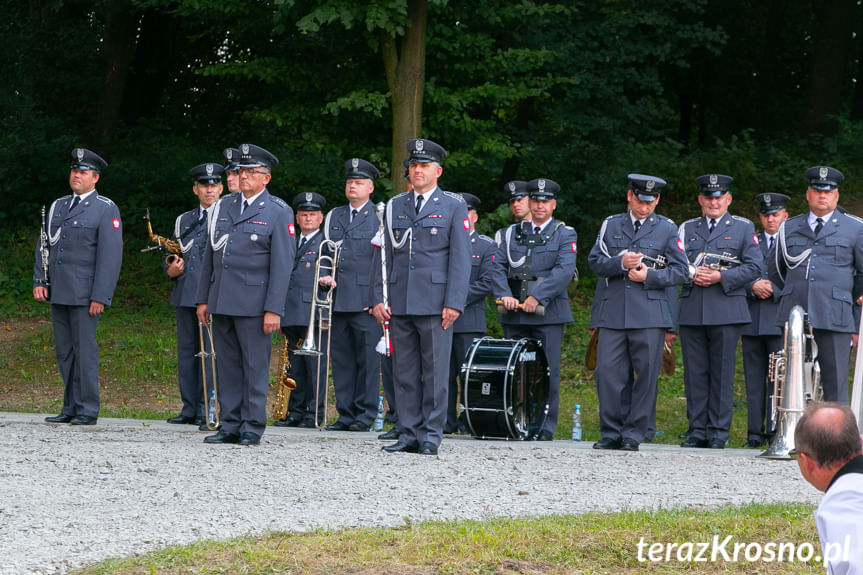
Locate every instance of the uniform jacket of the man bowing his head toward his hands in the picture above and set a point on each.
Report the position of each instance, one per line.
(624, 304)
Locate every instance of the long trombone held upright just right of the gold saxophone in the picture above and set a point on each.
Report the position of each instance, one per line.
(322, 305)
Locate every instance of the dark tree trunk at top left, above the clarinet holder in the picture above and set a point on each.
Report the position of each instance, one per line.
(118, 49)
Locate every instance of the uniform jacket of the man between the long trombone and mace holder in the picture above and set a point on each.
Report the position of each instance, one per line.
(356, 254)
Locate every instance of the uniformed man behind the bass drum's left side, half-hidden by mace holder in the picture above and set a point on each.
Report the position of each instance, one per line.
(486, 278)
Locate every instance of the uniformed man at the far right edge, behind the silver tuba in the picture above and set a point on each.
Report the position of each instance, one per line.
(818, 261)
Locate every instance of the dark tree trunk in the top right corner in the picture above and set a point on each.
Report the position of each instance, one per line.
(827, 72)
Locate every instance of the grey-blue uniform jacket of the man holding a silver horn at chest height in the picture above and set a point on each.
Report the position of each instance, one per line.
(723, 303)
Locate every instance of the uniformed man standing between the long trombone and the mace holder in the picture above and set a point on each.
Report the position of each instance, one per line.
(356, 364)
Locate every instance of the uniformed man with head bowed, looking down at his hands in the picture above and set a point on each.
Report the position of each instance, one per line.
(633, 311)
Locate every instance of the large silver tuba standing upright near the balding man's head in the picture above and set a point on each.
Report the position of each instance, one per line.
(796, 379)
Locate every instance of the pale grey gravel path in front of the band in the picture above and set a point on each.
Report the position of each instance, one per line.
(70, 496)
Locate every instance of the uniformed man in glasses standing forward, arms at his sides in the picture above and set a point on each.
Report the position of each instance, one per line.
(248, 264)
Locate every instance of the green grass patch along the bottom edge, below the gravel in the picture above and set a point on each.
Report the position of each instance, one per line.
(591, 543)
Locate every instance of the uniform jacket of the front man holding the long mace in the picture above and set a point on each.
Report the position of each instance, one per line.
(430, 268)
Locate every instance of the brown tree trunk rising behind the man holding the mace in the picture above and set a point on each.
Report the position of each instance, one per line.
(404, 61)
